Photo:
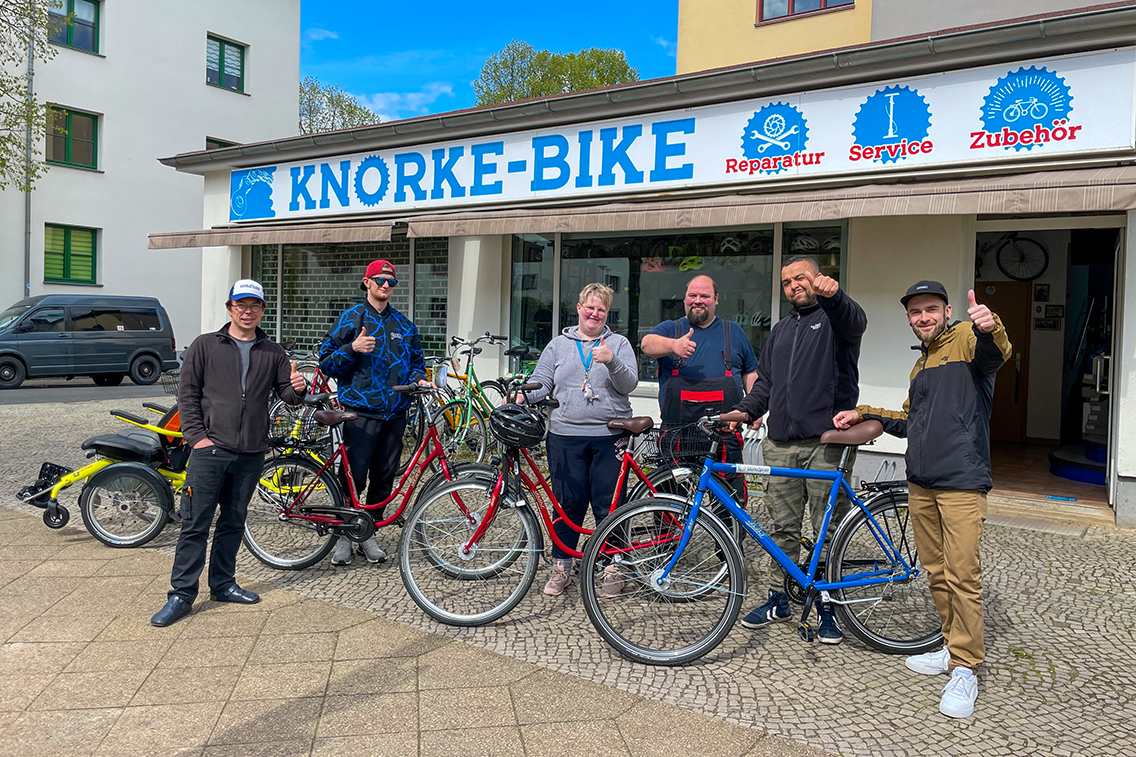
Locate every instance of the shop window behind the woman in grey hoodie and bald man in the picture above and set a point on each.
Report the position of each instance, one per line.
(649, 276)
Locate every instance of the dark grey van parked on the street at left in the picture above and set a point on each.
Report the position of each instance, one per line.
(106, 338)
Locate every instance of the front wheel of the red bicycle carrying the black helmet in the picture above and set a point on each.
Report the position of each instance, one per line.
(475, 588)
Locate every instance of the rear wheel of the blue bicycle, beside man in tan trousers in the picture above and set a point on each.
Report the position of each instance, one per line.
(898, 618)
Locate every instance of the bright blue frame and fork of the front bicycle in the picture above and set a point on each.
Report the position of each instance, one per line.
(898, 570)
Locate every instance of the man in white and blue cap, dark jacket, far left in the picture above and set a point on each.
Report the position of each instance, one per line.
(227, 380)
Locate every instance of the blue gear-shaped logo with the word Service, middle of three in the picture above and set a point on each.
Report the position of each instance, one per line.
(889, 118)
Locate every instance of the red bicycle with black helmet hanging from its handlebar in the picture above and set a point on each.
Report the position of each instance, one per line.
(470, 550)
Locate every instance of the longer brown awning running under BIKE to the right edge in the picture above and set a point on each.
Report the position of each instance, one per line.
(1085, 190)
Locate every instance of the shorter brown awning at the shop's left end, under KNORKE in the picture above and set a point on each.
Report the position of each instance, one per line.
(362, 231)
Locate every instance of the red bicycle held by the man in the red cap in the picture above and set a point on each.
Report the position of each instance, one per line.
(299, 508)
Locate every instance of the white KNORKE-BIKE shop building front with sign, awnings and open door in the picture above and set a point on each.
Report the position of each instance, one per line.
(1007, 170)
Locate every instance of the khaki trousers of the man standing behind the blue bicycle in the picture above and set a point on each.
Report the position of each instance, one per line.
(787, 498)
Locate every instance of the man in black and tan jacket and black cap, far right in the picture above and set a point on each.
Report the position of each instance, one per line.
(947, 422)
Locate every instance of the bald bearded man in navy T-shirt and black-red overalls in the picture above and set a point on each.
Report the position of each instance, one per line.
(706, 365)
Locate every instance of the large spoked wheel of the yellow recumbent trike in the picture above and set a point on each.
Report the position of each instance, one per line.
(126, 508)
